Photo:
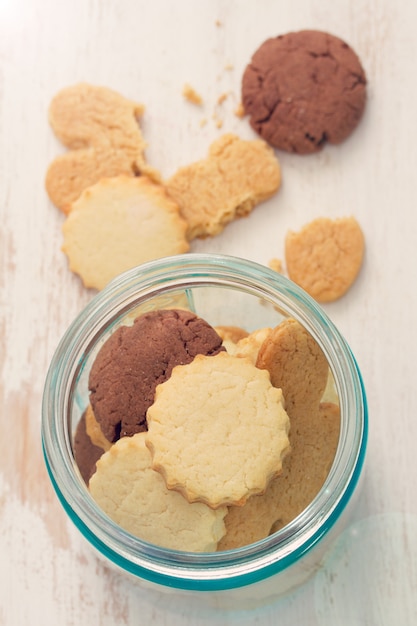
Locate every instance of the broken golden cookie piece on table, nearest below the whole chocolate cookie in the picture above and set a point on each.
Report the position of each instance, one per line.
(235, 177)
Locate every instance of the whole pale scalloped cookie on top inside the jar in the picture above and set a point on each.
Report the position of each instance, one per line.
(218, 430)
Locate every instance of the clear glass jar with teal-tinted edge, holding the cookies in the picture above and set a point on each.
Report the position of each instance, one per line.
(224, 291)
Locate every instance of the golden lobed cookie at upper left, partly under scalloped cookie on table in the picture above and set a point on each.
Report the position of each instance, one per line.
(101, 128)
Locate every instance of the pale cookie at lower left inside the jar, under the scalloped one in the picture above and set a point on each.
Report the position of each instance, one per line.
(135, 497)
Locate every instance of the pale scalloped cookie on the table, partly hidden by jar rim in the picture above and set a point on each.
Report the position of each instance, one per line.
(120, 223)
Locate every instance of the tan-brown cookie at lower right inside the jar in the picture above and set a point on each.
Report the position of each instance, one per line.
(313, 447)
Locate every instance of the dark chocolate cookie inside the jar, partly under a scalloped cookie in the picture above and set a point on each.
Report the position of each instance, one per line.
(135, 359)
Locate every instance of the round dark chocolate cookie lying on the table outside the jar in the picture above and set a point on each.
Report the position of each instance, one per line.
(304, 89)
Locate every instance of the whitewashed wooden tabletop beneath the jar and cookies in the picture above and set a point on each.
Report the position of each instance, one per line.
(148, 51)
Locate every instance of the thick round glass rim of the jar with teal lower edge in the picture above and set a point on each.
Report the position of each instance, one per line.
(217, 570)
